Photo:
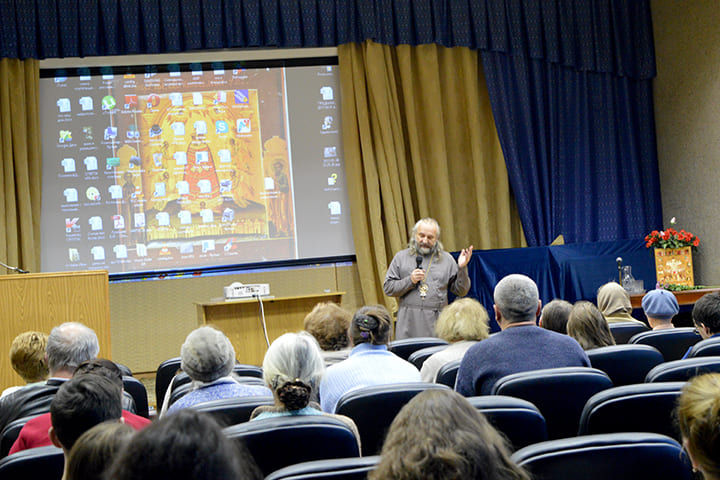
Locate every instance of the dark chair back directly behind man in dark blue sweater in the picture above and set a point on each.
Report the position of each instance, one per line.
(559, 393)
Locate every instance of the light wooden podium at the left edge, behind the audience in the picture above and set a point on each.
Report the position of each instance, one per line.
(41, 301)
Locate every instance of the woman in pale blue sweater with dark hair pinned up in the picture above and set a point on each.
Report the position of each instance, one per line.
(370, 362)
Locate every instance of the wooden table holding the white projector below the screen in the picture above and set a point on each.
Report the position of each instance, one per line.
(241, 320)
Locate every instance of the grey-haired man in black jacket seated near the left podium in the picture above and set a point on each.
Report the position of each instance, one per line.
(68, 345)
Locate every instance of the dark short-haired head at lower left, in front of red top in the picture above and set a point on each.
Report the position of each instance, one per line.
(79, 404)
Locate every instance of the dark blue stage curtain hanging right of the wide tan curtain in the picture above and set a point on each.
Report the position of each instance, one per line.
(578, 137)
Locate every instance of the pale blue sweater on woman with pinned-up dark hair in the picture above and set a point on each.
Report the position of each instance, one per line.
(367, 365)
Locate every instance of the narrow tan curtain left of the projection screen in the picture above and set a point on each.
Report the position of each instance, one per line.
(20, 174)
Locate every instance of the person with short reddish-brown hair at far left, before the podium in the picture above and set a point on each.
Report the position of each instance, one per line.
(27, 357)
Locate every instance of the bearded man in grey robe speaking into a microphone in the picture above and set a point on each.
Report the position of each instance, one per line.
(420, 277)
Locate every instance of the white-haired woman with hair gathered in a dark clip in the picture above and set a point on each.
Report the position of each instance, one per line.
(292, 368)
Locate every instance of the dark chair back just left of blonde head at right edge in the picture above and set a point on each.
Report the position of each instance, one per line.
(644, 407)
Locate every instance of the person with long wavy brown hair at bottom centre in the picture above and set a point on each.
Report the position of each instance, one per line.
(438, 435)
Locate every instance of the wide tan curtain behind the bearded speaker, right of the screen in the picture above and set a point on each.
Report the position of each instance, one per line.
(419, 141)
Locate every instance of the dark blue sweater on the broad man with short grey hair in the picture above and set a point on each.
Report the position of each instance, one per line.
(514, 350)
